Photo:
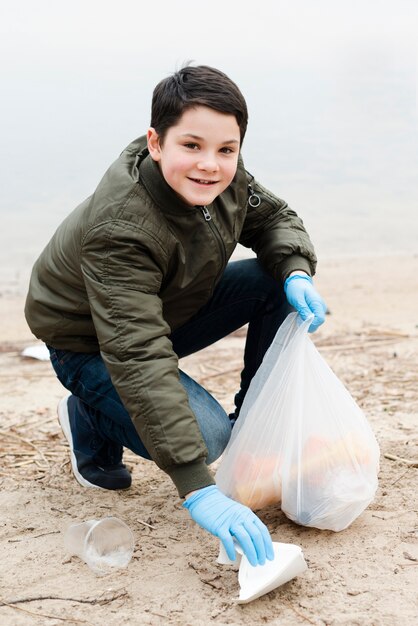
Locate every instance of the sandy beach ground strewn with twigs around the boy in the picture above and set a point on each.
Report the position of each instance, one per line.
(367, 574)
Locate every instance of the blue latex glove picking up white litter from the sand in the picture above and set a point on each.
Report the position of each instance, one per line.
(226, 519)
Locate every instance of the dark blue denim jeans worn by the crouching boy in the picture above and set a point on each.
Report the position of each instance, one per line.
(245, 294)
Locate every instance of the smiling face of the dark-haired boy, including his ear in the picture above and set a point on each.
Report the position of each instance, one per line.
(198, 157)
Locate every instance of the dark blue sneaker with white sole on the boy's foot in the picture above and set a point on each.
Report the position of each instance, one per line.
(96, 462)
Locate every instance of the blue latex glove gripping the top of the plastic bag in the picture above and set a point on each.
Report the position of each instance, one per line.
(302, 295)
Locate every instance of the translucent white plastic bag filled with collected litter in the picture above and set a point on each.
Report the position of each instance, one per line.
(301, 440)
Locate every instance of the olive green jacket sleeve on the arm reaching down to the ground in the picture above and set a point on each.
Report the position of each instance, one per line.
(122, 268)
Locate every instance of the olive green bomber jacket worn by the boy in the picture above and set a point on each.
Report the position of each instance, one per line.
(131, 264)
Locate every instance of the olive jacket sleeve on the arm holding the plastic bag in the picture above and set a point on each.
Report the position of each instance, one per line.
(276, 234)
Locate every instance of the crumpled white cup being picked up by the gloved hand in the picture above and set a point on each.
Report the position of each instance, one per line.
(256, 581)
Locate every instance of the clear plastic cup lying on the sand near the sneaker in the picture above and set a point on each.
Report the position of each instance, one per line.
(104, 545)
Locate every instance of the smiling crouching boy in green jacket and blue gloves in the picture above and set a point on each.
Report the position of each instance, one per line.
(138, 277)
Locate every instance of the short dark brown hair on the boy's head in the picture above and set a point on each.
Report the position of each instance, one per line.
(194, 86)
